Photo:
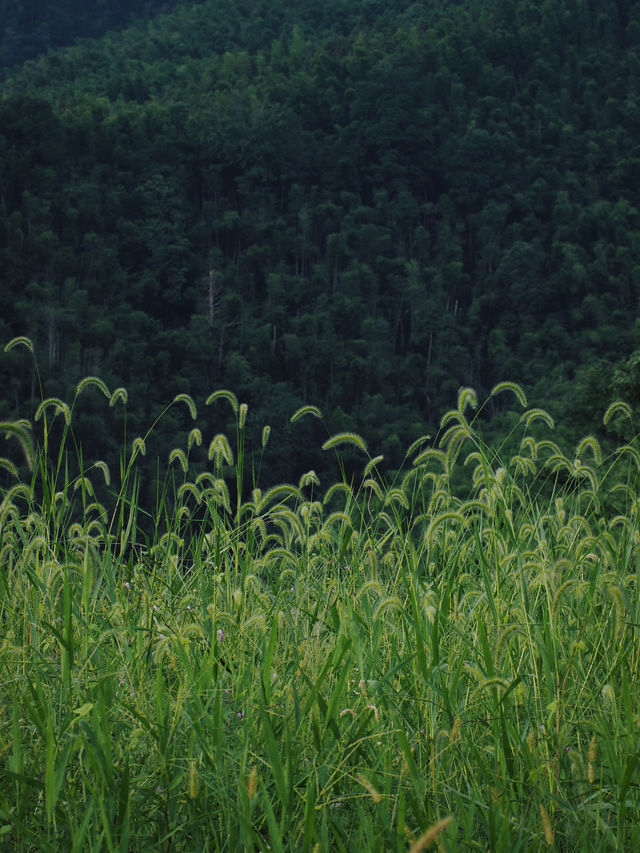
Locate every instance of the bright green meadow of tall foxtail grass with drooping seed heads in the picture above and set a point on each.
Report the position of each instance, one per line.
(446, 658)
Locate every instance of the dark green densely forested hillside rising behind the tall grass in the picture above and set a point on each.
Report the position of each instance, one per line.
(357, 205)
